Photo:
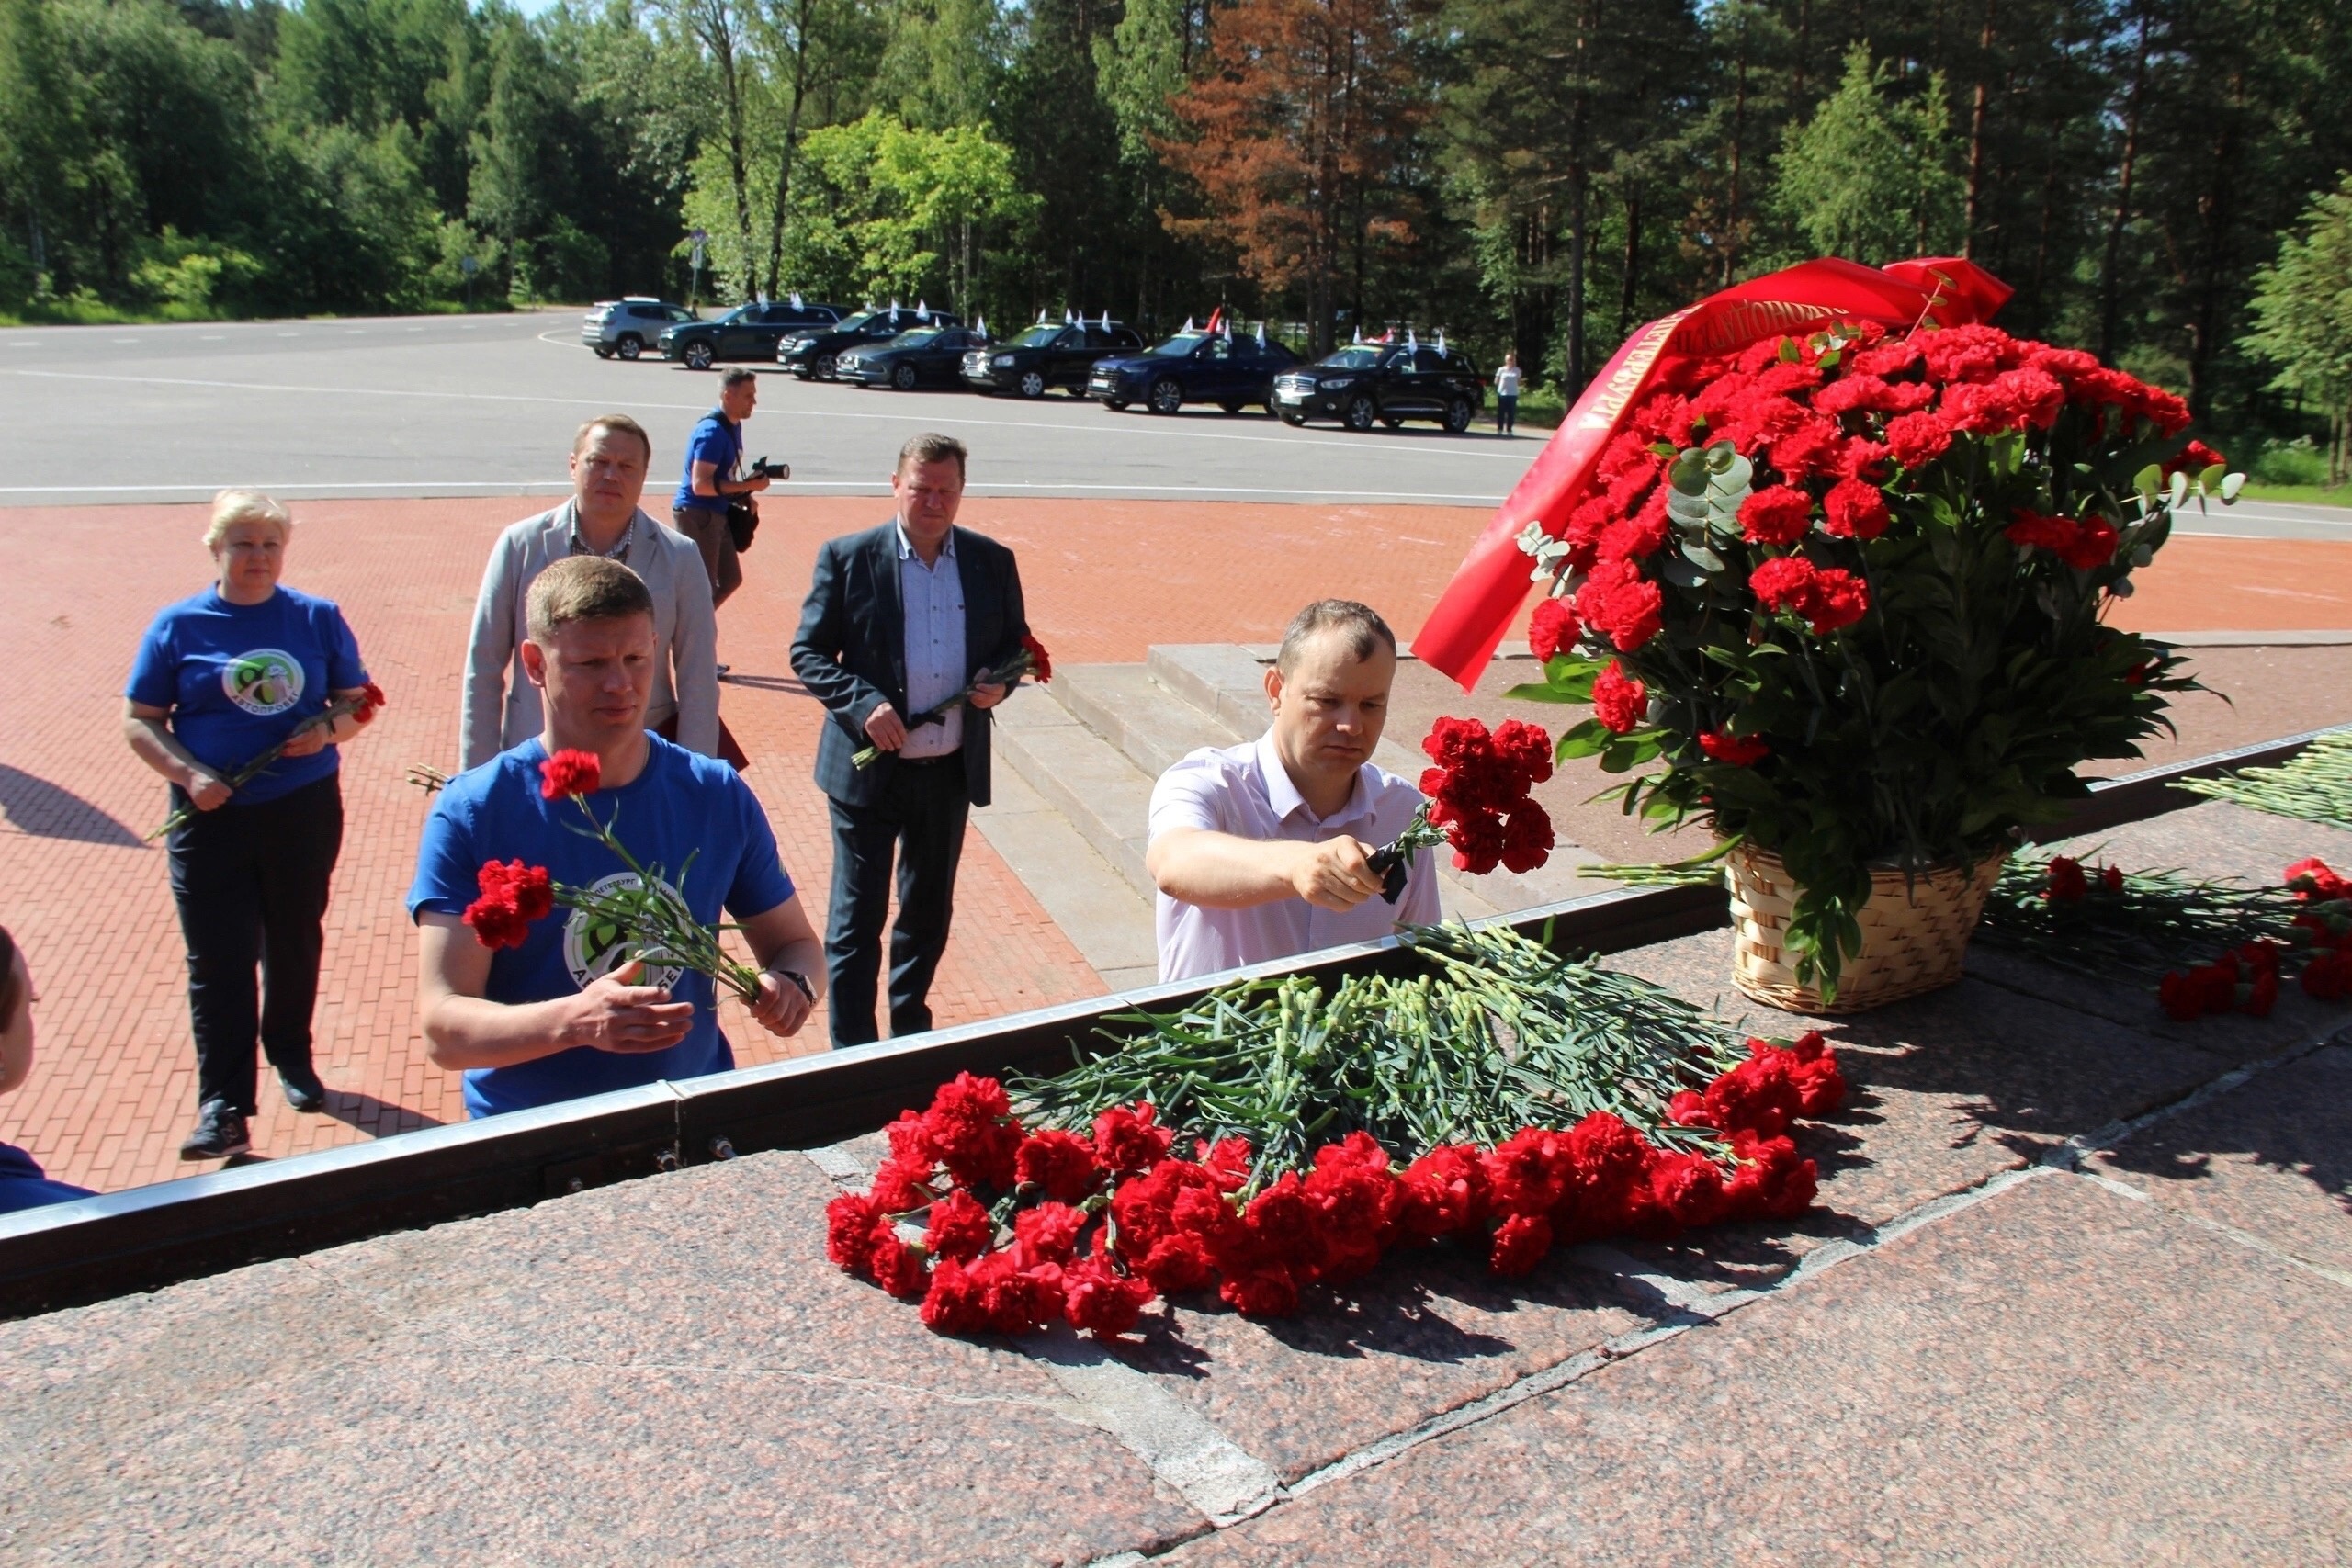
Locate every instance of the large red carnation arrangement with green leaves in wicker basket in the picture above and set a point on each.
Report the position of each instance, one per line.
(1850, 594)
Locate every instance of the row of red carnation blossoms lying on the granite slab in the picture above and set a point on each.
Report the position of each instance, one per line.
(1024, 1228)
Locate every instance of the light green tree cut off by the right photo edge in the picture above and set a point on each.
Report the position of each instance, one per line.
(2304, 316)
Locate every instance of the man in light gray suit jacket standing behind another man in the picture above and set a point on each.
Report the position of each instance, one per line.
(610, 460)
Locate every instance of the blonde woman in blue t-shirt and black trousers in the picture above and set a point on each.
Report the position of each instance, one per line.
(220, 681)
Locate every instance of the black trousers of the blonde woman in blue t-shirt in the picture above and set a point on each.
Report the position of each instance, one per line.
(253, 892)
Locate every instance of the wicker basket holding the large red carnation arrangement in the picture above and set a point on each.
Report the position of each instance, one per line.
(1916, 934)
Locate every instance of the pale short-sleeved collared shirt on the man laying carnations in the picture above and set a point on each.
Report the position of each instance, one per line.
(1245, 791)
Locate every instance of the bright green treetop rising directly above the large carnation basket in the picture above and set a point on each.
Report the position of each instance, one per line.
(1873, 177)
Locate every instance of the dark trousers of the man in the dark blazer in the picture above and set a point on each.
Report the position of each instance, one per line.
(921, 812)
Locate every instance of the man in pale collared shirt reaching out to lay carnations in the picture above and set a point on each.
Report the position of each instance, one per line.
(1264, 850)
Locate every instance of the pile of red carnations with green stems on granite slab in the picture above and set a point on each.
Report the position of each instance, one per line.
(1274, 1137)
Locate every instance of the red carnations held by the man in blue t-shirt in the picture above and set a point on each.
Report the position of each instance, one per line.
(643, 916)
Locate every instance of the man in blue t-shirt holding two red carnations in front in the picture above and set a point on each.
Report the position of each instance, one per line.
(570, 1012)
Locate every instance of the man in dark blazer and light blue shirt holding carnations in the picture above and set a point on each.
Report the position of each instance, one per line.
(902, 619)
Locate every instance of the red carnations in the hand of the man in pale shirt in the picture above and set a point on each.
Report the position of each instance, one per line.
(1478, 803)
